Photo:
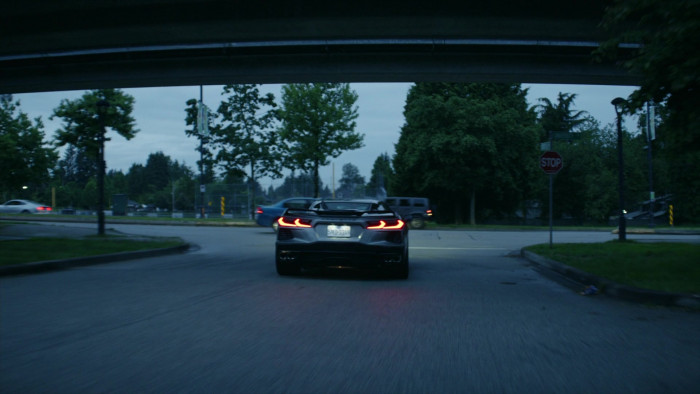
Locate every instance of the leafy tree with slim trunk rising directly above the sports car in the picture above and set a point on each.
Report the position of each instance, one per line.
(318, 123)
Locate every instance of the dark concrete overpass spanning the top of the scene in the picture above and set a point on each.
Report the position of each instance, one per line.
(48, 45)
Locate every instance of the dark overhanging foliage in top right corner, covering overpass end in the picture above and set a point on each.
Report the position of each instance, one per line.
(659, 41)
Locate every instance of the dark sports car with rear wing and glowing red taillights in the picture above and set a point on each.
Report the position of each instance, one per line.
(342, 234)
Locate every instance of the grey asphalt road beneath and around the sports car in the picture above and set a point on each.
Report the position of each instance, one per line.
(472, 317)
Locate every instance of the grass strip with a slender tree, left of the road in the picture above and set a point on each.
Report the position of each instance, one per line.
(43, 249)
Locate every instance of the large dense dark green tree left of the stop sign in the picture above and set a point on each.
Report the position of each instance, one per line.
(461, 142)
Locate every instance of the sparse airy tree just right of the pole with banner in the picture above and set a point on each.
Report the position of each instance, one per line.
(246, 137)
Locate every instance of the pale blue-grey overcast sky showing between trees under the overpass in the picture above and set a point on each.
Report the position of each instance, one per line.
(160, 118)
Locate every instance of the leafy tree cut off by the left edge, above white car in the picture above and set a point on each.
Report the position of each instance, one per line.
(25, 158)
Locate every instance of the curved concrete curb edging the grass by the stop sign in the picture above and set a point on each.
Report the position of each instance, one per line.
(613, 289)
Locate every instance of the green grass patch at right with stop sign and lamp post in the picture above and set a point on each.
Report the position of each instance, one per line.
(662, 266)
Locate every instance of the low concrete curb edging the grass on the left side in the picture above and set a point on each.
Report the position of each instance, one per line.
(55, 265)
